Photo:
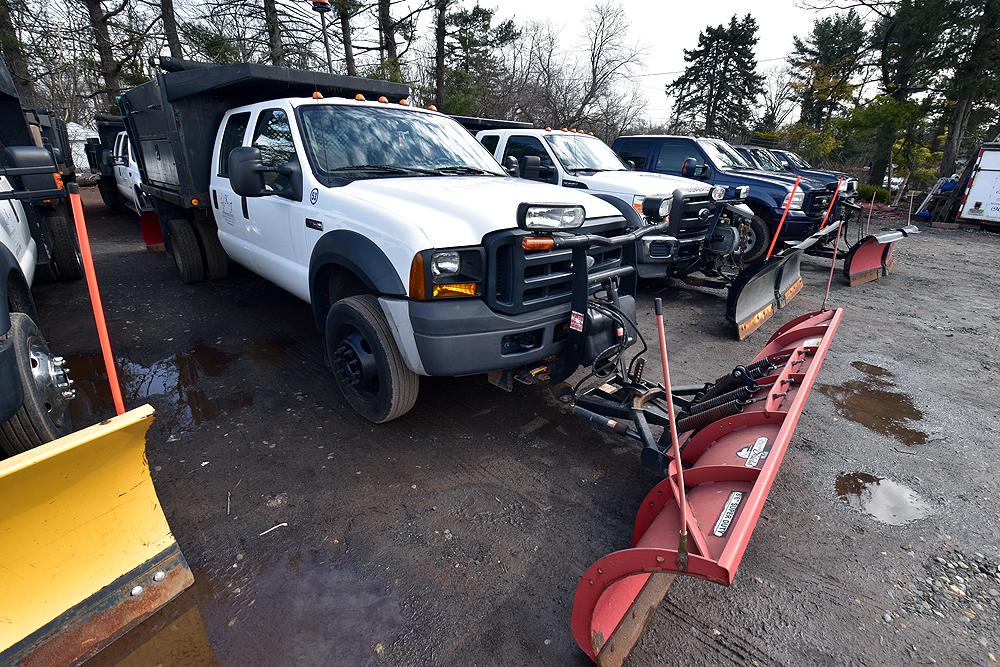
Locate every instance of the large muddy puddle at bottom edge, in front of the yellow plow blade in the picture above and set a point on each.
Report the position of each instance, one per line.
(300, 609)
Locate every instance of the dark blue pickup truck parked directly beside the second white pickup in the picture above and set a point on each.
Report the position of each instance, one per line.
(718, 163)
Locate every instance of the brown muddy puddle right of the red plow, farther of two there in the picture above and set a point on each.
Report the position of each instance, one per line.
(874, 402)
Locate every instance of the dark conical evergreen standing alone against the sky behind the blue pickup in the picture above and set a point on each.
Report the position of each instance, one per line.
(717, 92)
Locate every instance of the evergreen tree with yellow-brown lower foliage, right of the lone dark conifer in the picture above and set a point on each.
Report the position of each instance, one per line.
(823, 65)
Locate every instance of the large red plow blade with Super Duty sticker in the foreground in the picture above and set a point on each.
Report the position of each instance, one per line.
(729, 467)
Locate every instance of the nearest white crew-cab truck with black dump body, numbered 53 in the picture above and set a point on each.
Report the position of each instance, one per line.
(401, 231)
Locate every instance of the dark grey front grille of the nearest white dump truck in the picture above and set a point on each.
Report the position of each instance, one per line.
(519, 282)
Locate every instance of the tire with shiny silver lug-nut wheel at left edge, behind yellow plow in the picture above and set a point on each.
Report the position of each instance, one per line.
(44, 414)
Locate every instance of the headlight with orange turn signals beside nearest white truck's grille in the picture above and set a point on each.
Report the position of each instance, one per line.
(453, 272)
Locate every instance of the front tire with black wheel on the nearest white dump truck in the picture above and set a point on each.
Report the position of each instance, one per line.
(367, 365)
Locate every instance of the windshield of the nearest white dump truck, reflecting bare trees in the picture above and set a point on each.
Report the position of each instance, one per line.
(368, 142)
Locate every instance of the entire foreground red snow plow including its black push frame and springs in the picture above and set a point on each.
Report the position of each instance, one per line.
(719, 448)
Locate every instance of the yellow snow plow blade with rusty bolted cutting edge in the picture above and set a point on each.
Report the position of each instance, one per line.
(86, 550)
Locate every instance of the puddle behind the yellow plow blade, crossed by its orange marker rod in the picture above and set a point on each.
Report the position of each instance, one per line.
(176, 378)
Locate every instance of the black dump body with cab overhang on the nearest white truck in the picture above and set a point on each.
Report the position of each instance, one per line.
(172, 120)
